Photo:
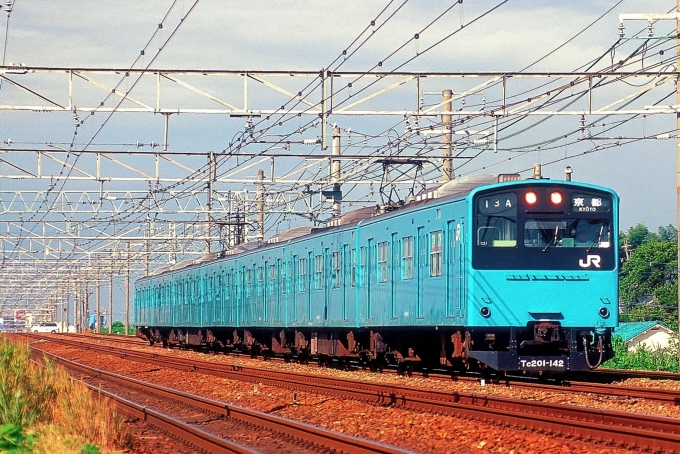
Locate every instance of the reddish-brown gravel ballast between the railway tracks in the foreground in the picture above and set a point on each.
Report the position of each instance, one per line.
(421, 432)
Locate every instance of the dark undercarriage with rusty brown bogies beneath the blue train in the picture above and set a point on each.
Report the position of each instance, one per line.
(538, 348)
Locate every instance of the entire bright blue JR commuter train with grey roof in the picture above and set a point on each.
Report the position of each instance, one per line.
(482, 272)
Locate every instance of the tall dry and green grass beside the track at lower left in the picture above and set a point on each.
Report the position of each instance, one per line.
(42, 410)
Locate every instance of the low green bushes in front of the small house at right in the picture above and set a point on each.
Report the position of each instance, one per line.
(643, 358)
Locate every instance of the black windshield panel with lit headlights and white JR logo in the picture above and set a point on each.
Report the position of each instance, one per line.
(544, 227)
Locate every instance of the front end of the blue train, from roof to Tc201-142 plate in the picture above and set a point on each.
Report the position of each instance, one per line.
(542, 280)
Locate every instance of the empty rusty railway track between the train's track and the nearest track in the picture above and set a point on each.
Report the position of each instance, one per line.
(617, 428)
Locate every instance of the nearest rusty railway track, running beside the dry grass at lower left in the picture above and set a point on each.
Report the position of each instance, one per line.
(216, 418)
